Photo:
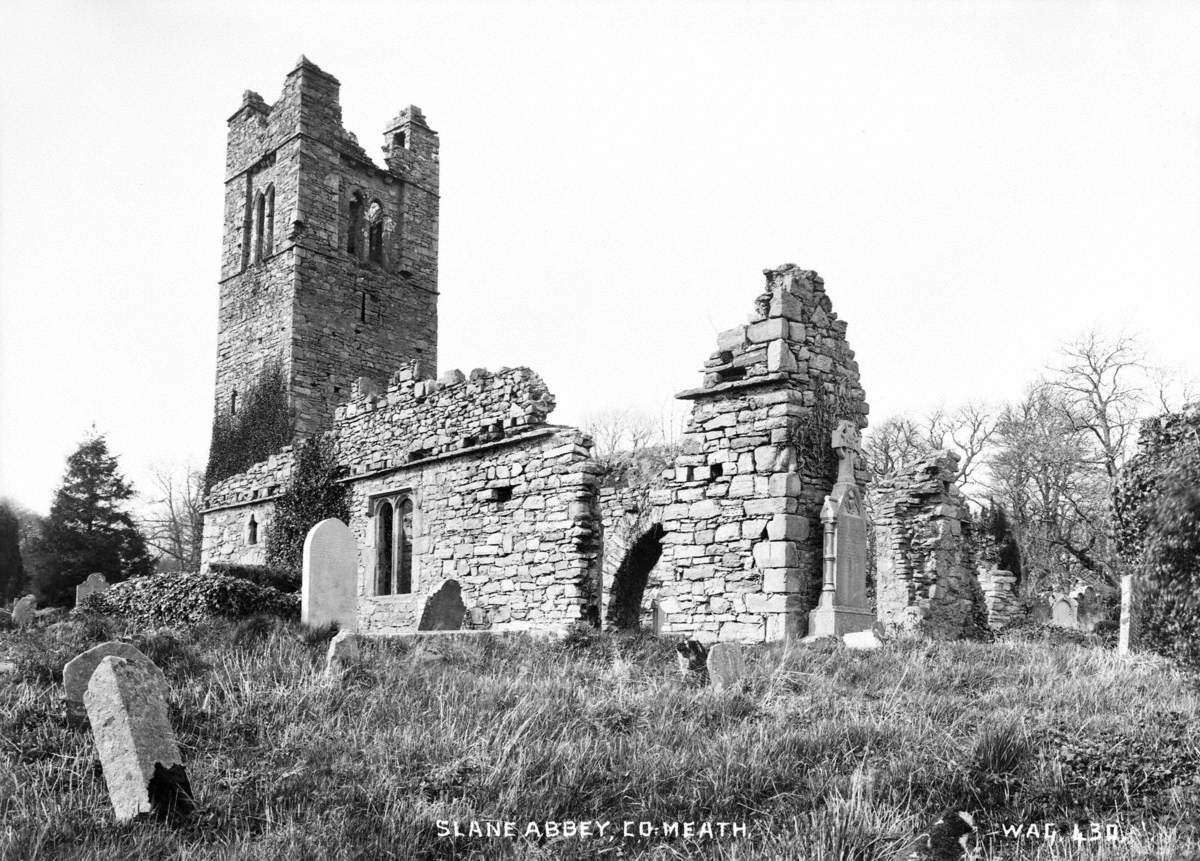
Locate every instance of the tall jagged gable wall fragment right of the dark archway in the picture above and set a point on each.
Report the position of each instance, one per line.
(742, 508)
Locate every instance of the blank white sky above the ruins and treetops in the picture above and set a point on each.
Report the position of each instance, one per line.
(976, 182)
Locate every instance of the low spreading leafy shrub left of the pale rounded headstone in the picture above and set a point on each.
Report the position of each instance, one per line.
(166, 600)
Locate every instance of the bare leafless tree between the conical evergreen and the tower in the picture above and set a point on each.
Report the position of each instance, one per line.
(175, 522)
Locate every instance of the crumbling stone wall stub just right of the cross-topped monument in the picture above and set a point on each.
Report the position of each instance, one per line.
(926, 581)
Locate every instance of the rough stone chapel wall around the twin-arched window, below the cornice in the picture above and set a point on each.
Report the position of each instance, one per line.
(517, 523)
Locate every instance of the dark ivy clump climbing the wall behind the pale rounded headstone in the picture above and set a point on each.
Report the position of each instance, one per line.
(314, 496)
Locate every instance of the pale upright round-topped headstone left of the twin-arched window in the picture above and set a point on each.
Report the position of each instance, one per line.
(329, 581)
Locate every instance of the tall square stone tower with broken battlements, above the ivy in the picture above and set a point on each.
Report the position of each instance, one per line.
(329, 264)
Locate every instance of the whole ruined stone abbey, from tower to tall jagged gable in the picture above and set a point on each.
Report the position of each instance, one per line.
(329, 287)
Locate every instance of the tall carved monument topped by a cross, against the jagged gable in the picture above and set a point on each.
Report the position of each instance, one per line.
(843, 607)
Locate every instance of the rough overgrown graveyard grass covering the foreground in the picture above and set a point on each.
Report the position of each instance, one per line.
(824, 754)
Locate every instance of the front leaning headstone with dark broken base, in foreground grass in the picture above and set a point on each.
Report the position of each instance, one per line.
(137, 746)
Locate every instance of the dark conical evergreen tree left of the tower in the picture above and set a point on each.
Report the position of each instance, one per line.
(88, 531)
